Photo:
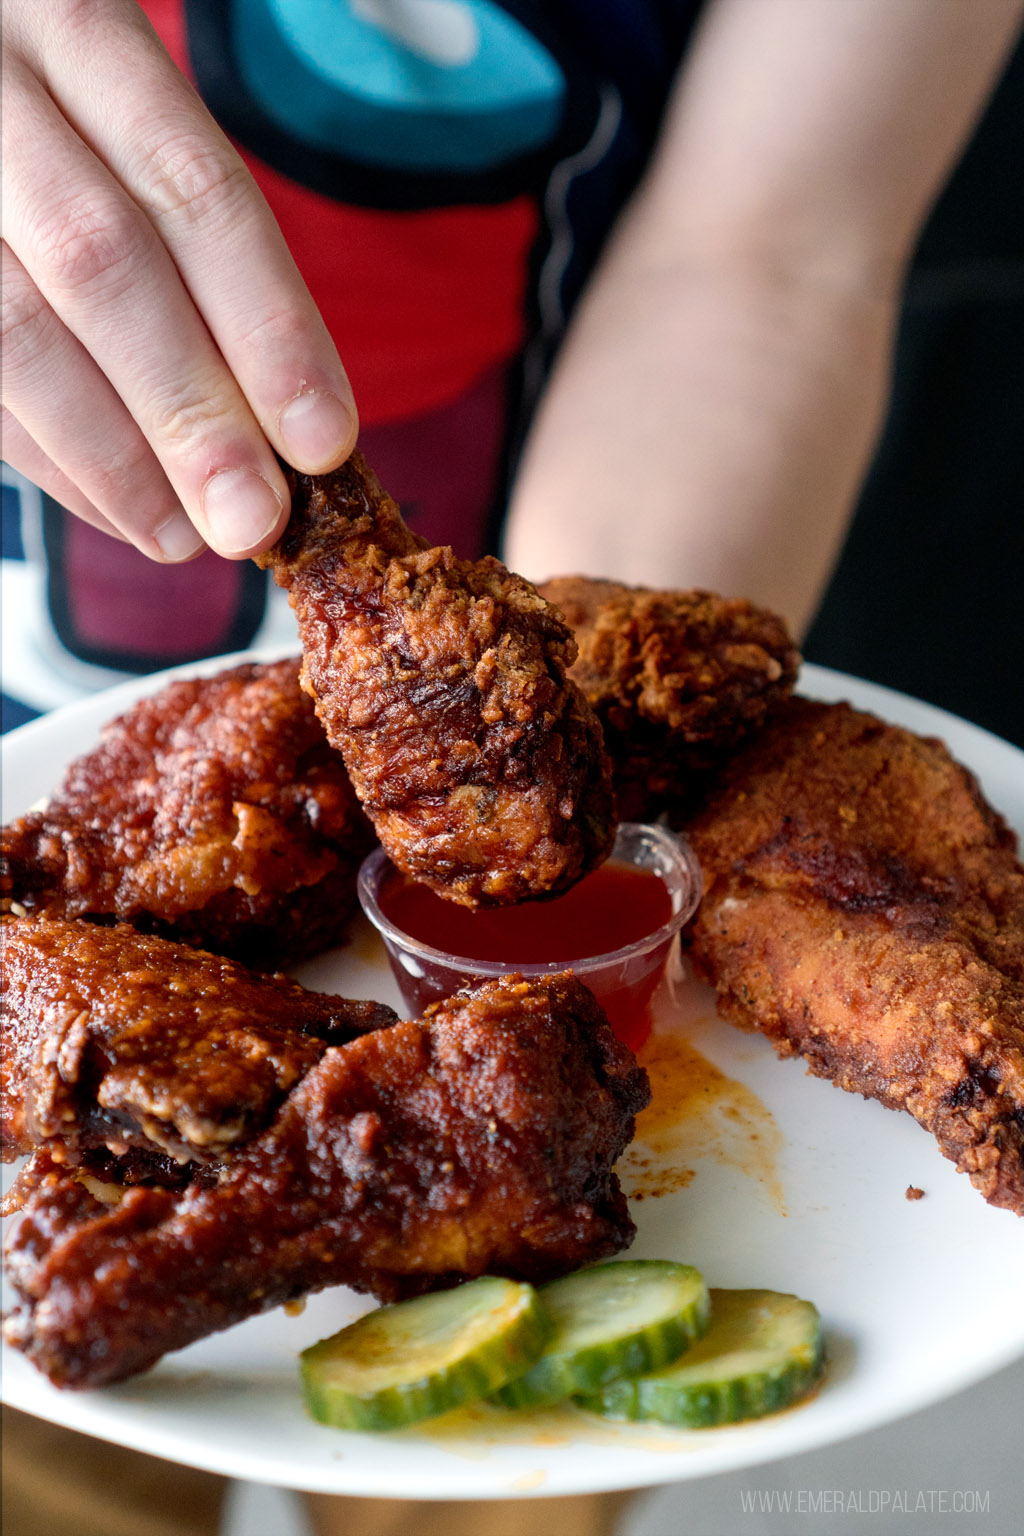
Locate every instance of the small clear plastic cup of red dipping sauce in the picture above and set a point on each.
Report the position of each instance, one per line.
(613, 930)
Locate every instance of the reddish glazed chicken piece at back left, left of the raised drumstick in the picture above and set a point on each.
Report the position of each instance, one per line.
(214, 812)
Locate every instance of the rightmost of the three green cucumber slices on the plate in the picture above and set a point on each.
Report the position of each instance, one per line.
(762, 1352)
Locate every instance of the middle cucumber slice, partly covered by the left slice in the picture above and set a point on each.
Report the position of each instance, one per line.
(610, 1322)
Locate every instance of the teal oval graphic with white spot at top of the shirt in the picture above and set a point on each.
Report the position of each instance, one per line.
(408, 85)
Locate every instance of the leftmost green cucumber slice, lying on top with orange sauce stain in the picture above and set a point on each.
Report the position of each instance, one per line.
(424, 1357)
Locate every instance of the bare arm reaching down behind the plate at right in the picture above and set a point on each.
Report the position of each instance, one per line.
(724, 383)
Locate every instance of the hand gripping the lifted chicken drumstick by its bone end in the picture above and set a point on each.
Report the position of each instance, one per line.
(159, 342)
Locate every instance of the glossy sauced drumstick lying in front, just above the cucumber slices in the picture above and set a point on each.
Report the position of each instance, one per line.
(477, 1140)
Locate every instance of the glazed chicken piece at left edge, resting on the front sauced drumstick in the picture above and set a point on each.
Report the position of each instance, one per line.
(119, 1044)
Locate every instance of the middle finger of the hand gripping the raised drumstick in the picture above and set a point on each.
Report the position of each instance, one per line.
(101, 266)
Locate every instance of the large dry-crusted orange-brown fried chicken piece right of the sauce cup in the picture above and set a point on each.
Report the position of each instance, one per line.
(865, 909)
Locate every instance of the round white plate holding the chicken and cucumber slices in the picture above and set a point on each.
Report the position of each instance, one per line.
(796, 1187)
